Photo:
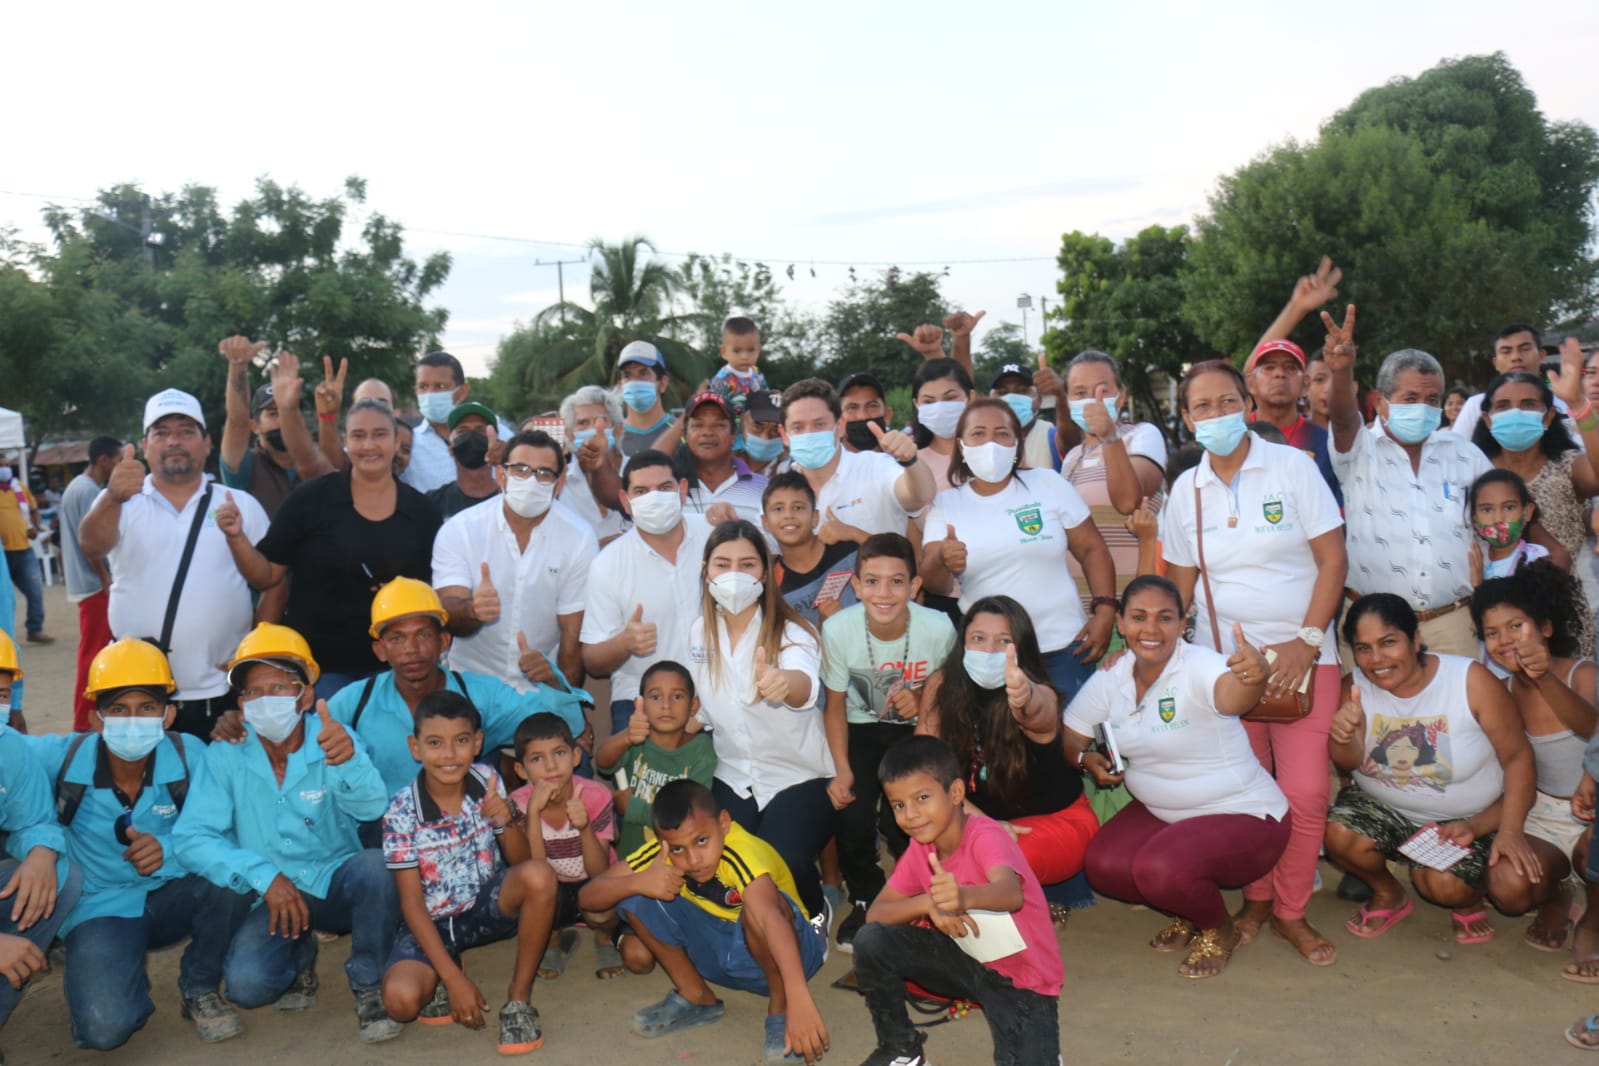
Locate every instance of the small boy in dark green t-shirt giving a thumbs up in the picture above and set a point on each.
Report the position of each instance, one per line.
(656, 749)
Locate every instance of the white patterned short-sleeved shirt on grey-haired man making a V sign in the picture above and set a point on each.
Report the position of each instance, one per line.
(1408, 530)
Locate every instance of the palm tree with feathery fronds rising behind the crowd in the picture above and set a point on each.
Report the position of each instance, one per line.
(632, 301)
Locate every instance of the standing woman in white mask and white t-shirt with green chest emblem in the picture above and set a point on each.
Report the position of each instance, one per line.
(1008, 531)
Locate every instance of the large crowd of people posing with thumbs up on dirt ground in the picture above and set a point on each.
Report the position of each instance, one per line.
(345, 688)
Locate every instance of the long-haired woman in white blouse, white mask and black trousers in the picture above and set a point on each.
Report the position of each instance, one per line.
(757, 667)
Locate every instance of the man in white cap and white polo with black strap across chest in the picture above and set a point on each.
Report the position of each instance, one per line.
(142, 525)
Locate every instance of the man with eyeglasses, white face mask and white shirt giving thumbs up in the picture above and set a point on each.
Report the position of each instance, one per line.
(512, 573)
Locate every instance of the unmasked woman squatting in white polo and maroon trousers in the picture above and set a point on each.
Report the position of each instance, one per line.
(1205, 814)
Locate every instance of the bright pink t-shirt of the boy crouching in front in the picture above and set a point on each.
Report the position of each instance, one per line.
(984, 846)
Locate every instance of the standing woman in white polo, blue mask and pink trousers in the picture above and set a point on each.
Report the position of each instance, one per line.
(1274, 560)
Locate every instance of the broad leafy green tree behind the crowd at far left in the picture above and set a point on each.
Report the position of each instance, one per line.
(138, 290)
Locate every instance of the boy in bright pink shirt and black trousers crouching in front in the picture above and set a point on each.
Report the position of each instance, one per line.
(927, 921)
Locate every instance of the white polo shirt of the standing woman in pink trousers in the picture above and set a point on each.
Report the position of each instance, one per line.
(1262, 570)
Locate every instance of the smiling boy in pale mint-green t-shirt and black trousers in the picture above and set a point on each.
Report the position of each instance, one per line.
(877, 658)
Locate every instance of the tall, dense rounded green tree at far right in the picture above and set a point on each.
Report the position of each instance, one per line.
(1448, 201)
